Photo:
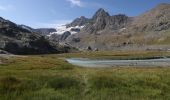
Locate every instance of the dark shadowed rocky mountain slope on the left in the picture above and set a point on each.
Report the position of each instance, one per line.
(19, 39)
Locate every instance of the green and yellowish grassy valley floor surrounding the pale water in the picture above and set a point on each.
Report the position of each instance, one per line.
(50, 77)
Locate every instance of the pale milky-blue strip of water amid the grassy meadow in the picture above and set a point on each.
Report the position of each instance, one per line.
(99, 63)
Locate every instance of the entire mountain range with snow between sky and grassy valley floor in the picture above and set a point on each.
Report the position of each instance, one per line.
(101, 32)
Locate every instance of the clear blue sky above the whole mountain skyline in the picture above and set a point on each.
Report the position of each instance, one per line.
(50, 13)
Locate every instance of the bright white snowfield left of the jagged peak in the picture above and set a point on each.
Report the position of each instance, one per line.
(63, 28)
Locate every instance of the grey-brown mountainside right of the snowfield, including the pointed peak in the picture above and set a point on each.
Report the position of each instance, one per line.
(106, 32)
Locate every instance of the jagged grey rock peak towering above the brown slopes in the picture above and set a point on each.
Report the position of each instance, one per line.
(103, 21)
